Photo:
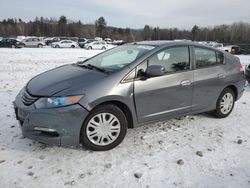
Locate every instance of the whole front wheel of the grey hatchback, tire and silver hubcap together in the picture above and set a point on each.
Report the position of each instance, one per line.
(97, 141)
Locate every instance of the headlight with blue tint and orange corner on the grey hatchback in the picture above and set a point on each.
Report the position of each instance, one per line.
(54, 102)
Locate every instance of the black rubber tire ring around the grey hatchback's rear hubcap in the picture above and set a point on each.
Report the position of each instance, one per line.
(218, 112)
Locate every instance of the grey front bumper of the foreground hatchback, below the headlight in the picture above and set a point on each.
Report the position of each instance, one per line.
(55, 126)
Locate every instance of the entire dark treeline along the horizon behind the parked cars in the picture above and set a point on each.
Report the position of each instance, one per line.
(234, 33)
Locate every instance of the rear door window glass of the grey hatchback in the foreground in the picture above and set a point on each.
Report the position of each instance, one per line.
(206, 57)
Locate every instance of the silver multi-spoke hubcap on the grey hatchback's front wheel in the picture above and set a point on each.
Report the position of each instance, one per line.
(103, 129)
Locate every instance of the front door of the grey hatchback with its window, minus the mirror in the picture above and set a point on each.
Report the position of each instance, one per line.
(167, 95)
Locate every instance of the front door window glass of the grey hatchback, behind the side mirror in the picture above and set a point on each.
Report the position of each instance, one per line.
(172, 59)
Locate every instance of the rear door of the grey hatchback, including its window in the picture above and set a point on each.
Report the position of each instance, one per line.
(209, 77)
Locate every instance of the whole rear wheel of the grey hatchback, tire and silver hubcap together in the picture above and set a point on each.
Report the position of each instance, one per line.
(228, 95)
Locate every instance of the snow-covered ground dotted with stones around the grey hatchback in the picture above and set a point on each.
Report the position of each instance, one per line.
(192, 151)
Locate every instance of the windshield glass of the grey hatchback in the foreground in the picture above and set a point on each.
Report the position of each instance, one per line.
(119, 57)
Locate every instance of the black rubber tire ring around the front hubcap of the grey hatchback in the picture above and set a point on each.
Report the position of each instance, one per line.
(106, 109)
